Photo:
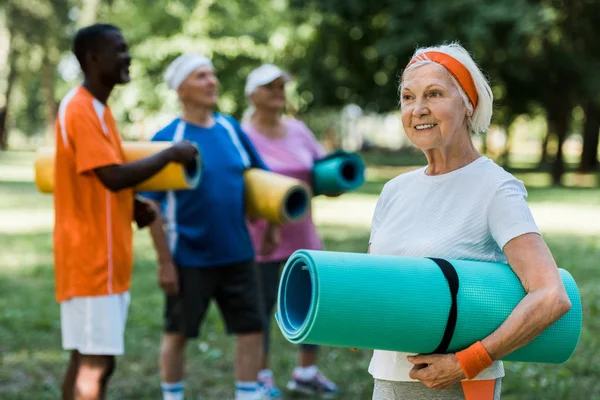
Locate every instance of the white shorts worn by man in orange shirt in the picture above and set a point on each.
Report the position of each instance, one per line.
(95, 325)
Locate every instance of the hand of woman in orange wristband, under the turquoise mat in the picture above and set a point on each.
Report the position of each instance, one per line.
(436, 371)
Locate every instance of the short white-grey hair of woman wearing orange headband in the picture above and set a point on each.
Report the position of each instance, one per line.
(480, 119)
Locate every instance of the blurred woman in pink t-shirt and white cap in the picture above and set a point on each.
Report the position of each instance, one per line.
(287, 147)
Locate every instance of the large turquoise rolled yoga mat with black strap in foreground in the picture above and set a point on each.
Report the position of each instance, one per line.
(403, 303)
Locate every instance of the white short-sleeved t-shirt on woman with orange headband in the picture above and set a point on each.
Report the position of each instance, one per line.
(466, 214)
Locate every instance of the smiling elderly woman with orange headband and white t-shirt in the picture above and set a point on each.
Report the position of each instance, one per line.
(460, 206)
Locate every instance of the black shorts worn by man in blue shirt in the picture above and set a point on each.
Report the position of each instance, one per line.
(233, 287)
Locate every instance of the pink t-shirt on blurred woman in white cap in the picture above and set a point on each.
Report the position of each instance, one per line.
(293, 156)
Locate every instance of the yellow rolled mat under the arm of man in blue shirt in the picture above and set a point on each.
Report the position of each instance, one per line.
(275, 197)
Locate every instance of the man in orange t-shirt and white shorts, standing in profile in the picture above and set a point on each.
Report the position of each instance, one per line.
(94, 208)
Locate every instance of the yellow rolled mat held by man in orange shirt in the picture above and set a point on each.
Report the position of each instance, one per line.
(173, 176)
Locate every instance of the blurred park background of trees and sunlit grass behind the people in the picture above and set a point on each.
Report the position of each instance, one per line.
(542, 58)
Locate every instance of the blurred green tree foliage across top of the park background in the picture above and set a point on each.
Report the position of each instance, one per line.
(538, 54)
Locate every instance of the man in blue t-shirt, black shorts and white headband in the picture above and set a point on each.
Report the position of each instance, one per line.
(204, 249)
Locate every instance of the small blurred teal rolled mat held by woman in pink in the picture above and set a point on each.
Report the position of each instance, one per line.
(337, 173)
